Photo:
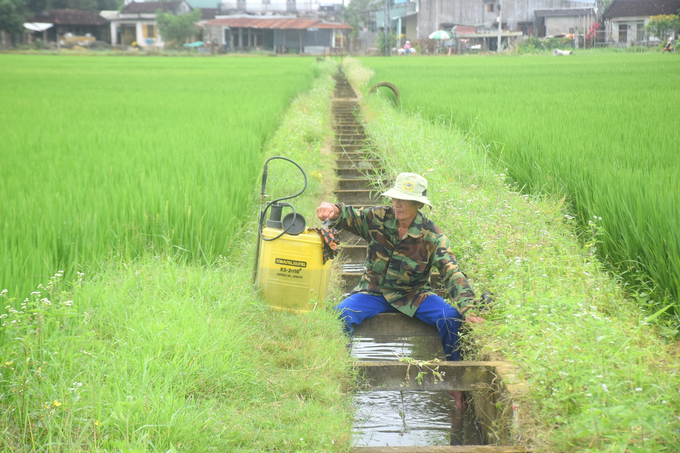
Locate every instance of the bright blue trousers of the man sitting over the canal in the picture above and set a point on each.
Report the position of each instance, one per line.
(434, 311)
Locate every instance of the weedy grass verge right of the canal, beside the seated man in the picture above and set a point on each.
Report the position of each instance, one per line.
(599, 377)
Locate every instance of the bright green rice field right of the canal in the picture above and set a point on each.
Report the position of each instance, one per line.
(601, 130)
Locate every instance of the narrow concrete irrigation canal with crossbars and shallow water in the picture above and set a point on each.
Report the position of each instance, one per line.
(396, 414)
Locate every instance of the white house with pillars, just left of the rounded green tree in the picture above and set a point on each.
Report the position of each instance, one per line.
(136, 22)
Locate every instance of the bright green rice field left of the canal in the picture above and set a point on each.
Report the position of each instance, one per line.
(106, 158)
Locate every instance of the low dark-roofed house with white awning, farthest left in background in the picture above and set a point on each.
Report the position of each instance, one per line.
(56, 23)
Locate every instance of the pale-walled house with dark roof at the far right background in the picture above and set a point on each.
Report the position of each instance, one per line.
(625, 20)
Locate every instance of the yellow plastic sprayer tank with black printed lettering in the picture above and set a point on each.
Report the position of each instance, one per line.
(291, 272)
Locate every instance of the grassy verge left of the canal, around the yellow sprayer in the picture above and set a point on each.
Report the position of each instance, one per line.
(160, 354)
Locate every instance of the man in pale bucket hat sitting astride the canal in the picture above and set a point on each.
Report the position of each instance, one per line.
(403, 247)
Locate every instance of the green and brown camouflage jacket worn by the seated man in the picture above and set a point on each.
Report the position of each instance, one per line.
(399, 269)
